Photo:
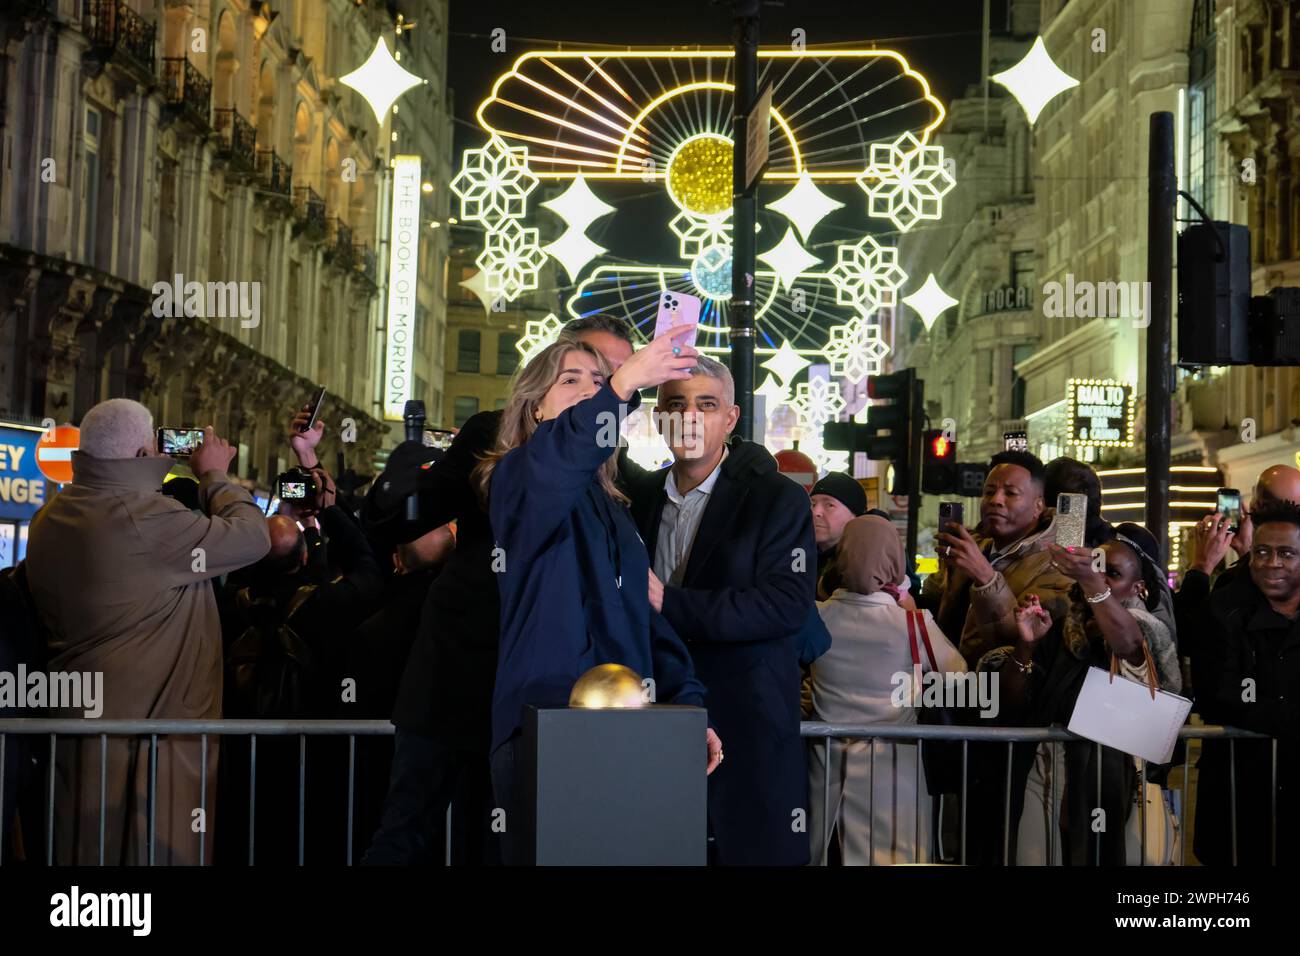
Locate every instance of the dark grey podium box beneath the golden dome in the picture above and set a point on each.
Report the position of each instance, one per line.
(616, 788)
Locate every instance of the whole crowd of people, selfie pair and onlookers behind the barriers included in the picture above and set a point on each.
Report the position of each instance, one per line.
(539, 551)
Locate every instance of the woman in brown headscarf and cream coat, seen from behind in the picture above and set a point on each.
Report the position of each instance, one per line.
(869, 677)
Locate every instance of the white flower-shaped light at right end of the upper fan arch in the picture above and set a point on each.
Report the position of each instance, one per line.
(905, 181)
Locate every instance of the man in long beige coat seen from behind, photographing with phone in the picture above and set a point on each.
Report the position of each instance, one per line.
(120, 578)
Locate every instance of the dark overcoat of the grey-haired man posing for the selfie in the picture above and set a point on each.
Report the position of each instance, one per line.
(748, 591)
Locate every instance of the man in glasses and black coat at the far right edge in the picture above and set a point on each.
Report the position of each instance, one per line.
(1249, 677)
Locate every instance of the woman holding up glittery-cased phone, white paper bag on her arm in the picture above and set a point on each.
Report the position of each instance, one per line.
(1111, 613)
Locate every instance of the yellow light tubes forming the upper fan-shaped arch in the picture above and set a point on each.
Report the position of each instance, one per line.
(634, 171)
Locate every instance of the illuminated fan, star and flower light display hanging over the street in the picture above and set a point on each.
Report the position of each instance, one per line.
(665, 118)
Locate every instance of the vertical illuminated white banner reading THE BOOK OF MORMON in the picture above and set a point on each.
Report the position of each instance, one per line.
(404, 270)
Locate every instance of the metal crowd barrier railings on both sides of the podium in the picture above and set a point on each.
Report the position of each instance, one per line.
(813, 732)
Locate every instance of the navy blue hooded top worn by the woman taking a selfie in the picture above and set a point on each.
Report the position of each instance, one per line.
(575, 586)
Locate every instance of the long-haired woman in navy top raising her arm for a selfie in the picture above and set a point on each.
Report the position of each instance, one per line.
(574, 574)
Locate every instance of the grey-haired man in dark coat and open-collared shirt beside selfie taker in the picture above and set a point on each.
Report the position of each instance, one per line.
(735, 573)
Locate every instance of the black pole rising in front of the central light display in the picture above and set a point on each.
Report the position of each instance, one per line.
(744, 217)
